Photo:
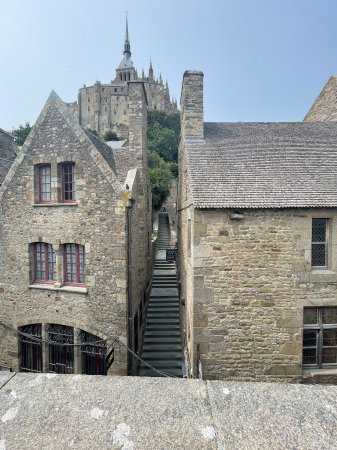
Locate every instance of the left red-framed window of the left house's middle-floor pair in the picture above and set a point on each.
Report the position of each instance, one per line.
(44, 263)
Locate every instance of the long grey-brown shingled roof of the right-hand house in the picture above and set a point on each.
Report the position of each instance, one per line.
(264, 165)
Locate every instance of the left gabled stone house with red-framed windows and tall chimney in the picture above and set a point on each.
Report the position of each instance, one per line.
(74, 245)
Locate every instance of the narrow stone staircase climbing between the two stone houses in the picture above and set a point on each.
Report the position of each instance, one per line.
(162, 346)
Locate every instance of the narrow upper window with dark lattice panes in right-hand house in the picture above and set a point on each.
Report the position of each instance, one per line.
(319, 243)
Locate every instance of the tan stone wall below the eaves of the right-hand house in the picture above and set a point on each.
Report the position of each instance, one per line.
(252, 278)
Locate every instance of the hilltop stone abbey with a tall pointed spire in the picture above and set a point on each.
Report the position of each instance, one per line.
(105, 107)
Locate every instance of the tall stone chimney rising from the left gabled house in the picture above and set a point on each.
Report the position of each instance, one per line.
(138, 128)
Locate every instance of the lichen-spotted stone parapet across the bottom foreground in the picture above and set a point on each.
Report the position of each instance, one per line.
(85, 412)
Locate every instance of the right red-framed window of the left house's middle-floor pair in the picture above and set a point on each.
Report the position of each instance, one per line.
(74, 264)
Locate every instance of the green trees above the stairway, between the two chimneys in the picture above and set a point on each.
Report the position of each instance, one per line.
(163, 140)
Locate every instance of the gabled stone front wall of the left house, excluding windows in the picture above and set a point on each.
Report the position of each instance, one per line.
(97, 221)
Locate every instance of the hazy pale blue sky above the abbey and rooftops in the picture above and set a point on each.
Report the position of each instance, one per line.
(263, 60)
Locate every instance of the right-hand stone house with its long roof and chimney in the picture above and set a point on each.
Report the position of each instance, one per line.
(257, 245)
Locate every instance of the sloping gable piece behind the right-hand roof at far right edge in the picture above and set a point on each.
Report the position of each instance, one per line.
(325, 107)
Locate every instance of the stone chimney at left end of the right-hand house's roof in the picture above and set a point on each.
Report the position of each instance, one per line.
(192, 105)
